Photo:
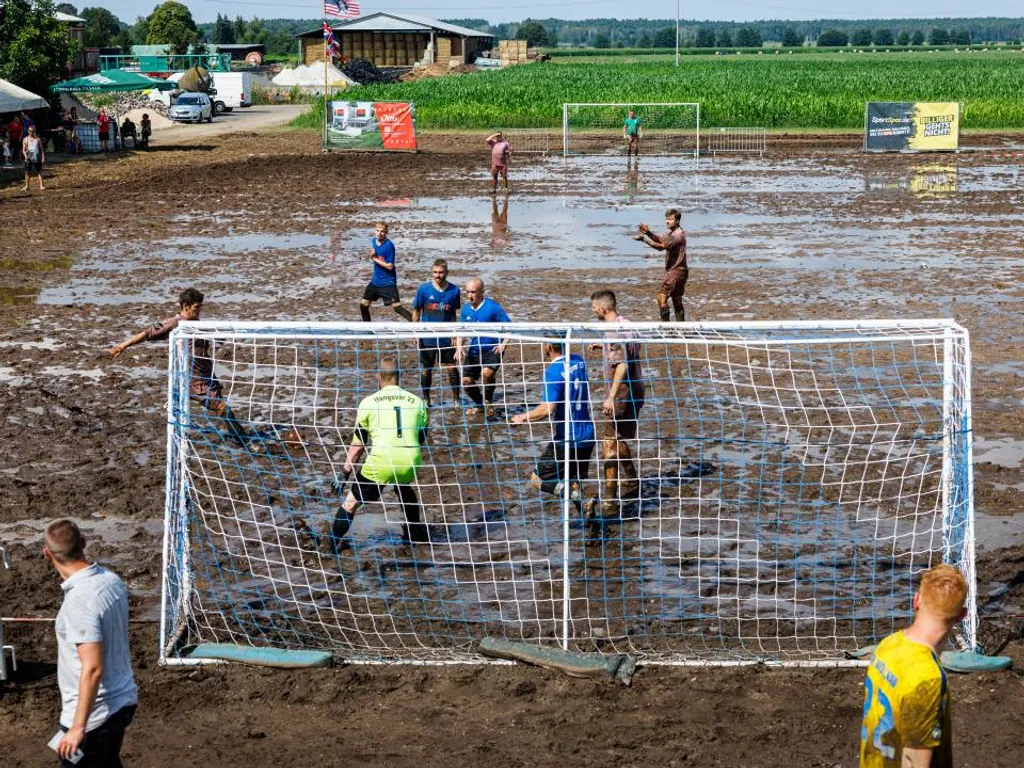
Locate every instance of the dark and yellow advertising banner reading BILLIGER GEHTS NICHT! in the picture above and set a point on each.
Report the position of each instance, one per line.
(912, 126)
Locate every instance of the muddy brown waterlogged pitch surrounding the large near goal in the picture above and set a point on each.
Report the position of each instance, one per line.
(267, 226)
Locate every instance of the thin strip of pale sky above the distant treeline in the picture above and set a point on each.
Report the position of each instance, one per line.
(515, 11)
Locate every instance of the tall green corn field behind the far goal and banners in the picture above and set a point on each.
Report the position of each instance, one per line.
(808, 93)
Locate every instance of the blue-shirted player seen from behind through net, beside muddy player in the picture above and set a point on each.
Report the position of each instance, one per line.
(575, 431)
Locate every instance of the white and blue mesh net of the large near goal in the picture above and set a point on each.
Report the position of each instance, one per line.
(793, 482)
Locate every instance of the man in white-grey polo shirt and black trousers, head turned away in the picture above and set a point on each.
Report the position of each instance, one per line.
(98, 689)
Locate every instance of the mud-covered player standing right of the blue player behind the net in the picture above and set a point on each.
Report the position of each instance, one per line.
(624, 397)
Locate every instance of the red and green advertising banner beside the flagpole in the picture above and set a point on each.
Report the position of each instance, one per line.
(382, 126)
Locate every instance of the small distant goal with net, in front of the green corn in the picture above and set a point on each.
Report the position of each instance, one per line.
(664, 130)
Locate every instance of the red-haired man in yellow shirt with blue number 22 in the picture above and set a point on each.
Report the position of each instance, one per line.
(907, 721)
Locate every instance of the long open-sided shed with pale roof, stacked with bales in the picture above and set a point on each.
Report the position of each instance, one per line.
(390, 39)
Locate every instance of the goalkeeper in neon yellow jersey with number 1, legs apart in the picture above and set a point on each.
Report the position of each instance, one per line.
(394, 423)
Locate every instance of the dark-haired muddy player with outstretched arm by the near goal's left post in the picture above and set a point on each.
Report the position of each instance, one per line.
(203, 388)
